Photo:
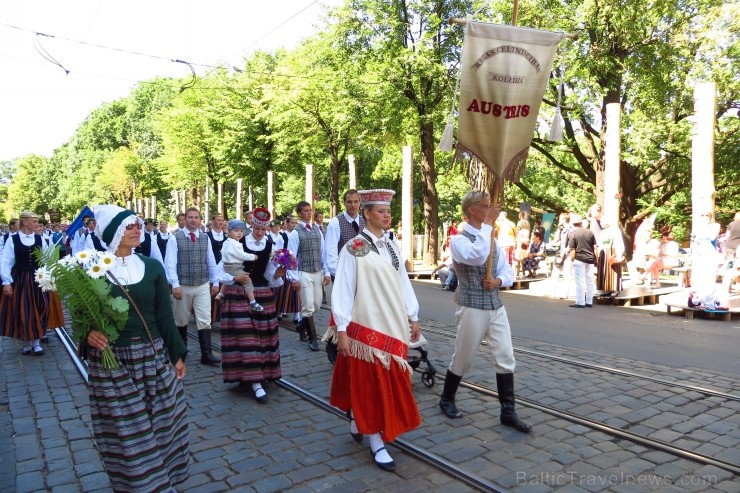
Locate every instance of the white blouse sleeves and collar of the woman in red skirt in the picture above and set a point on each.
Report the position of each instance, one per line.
(345, 284)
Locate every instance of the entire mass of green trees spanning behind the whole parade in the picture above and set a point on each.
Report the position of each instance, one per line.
(380, 76)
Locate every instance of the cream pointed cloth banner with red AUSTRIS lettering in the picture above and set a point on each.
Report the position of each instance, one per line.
(504, 74)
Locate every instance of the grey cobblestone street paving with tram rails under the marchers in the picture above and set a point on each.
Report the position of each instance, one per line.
(288, 444)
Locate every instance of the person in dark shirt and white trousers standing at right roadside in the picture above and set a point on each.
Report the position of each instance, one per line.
(582, 245)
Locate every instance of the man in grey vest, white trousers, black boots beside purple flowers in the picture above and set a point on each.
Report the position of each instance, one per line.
(313, 273)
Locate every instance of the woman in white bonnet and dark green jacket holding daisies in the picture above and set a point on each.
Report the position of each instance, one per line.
(138, 410)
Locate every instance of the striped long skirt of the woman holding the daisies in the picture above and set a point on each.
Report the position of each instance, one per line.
(139, 418)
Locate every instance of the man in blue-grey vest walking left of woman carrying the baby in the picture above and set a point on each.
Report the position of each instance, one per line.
(191, 272)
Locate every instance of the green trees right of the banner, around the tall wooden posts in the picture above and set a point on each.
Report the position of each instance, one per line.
(647, 58)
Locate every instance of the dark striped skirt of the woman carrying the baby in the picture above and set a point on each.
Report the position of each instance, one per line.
(250, 342)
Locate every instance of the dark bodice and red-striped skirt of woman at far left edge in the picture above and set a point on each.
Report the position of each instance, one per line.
(23, 315)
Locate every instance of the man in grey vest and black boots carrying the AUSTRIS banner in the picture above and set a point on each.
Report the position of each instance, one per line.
(481, 315)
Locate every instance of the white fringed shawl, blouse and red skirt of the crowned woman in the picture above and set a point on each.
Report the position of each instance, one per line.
(373, 301)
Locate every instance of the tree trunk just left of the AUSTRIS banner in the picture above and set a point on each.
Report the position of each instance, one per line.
(429, 191)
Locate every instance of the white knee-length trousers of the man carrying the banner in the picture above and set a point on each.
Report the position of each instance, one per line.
(475, 325)
